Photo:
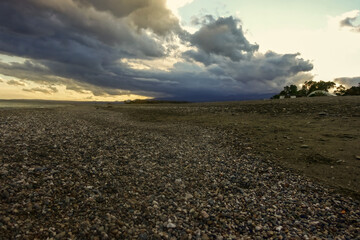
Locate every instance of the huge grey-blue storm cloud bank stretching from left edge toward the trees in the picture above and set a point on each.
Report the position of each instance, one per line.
(102, 47)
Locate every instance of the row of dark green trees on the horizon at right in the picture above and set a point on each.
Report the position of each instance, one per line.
(312, 86)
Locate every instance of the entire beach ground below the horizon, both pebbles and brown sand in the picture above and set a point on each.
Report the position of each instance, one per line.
(277, 169)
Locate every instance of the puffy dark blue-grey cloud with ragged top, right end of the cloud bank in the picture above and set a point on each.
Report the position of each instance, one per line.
(226, 53)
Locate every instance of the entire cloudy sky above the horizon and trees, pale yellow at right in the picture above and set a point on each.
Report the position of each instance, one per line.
(194, 50)
